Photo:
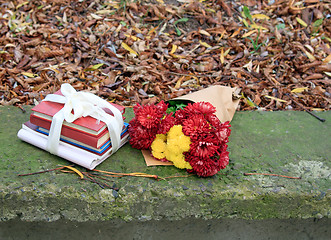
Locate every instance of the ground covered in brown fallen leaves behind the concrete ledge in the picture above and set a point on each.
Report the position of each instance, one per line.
(276, 52)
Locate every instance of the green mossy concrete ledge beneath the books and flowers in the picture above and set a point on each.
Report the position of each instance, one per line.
(287, 143)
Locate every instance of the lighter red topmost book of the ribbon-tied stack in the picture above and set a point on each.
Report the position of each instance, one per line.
(47, 109)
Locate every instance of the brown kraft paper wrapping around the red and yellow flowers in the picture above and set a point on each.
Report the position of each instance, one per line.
(219, 96)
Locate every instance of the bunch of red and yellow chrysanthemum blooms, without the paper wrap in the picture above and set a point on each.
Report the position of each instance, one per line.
(188, 135)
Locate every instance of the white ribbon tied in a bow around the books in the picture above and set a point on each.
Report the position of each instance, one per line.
(84, 104)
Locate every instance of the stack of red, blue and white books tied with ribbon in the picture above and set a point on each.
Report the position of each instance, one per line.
(85, 141)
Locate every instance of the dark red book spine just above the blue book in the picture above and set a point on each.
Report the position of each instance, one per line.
(68, 132)
